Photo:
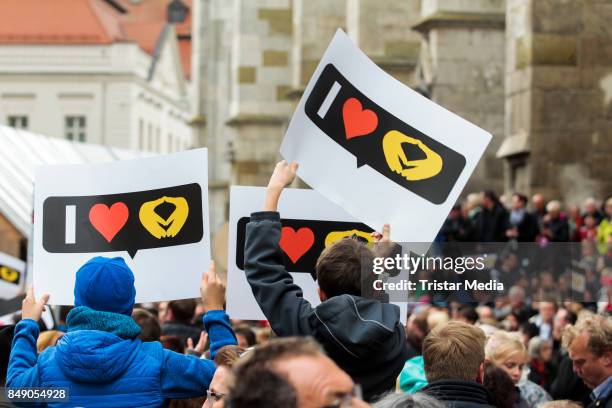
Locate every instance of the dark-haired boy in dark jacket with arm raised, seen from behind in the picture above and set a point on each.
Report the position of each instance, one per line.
(363, 336)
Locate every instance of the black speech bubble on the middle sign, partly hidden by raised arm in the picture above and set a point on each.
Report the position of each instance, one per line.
(320, 230)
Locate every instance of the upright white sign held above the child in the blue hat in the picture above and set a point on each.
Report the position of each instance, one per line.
(153, 212)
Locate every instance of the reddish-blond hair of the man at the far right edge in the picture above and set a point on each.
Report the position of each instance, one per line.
(598, 329)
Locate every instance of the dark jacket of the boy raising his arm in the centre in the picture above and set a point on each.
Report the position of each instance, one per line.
(364, 337)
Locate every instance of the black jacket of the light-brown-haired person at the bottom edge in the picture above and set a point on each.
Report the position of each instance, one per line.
(459, 394)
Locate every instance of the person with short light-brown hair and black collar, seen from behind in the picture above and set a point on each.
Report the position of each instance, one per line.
(453, 355)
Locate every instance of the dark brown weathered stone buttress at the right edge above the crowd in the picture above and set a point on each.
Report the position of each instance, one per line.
(559, 82)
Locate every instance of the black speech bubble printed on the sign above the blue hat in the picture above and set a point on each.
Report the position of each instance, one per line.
(131, 236)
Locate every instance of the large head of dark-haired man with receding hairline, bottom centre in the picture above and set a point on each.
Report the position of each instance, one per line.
(290, 372)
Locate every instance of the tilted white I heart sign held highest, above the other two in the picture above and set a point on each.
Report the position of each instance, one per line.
(378, 149)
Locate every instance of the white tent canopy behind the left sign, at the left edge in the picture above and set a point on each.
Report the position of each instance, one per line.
(22, 151)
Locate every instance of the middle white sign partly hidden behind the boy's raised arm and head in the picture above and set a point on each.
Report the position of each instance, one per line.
(301, 211)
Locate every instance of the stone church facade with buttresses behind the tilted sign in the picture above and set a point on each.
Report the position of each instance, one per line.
(537, 74)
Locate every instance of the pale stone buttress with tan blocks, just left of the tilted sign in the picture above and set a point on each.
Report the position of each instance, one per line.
(260, 72)
